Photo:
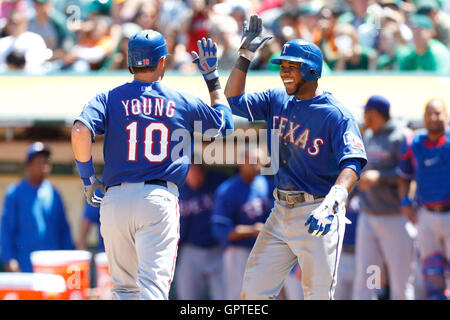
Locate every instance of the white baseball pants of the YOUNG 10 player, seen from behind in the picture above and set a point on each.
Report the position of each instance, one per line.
(140, 226)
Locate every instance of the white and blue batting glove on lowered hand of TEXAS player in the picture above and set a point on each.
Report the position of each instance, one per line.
(321, 218)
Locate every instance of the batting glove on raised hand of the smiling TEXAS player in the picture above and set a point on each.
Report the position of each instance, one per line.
(251, 37)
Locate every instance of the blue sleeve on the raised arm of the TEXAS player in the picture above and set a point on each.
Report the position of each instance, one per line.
(253, 106)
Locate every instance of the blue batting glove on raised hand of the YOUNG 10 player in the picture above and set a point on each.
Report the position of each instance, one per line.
(206, 59)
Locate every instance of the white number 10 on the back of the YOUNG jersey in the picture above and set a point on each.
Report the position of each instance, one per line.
(149, 134)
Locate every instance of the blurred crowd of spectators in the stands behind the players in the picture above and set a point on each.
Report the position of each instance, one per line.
(42, 36)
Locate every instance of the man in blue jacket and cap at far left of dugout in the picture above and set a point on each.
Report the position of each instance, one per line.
(33, 216)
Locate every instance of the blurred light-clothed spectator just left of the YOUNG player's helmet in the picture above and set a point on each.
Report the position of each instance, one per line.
(97, 39)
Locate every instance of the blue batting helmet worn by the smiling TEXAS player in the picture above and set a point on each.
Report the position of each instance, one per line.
(308, 53)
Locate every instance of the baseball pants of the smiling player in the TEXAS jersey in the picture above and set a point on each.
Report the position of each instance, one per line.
(285, 240)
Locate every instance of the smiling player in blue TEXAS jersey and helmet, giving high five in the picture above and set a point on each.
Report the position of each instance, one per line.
(320, 157)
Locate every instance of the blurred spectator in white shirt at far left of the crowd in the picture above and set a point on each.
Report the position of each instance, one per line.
(30, 44)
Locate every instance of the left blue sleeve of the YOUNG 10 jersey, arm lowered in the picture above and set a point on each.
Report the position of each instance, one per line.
(93, 115)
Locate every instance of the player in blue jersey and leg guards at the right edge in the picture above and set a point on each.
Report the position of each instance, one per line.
(426, 159)
